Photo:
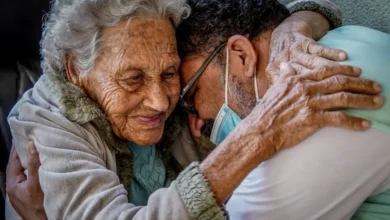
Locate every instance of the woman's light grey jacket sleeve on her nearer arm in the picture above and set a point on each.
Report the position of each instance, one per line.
(74, 174)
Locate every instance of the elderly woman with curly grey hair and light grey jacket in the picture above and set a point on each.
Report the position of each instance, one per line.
(98, 115)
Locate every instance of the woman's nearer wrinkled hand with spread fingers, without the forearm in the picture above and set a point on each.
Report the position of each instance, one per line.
(296, 106)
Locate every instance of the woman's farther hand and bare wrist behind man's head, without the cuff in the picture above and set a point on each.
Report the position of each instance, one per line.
(294, 41)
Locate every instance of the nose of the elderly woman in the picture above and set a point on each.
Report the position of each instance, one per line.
(157, 97)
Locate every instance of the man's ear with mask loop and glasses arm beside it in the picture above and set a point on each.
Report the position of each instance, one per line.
(243, 57)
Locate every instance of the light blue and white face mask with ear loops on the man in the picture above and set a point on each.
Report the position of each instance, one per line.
(227, 119)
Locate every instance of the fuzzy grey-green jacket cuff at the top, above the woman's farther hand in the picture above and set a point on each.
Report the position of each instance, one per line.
(326, 8)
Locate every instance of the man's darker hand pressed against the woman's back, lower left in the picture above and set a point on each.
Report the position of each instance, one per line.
(25, 193)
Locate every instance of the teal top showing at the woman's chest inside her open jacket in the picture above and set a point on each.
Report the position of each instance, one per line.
(148, 174)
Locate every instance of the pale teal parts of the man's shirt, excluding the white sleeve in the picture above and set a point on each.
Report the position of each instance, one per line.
(370, 50)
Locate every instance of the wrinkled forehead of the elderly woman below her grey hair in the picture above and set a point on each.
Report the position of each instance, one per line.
(143, 44)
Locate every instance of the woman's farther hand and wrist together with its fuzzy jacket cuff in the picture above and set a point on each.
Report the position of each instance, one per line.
(295, 38)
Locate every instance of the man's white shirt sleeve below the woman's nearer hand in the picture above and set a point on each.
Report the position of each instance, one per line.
(328, 176)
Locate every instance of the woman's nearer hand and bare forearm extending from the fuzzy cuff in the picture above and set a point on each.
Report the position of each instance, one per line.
(295, 107)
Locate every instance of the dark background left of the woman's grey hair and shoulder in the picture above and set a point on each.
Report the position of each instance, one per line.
(20, 32)
